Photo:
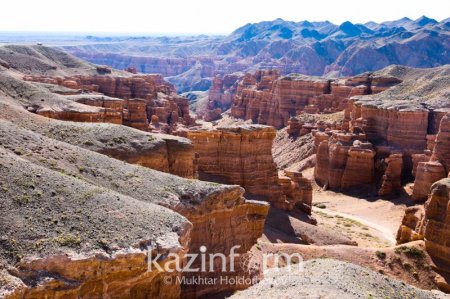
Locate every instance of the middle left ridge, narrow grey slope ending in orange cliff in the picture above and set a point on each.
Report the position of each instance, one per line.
(161, 152)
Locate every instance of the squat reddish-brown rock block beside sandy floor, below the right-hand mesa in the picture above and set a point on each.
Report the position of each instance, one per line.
(345, 160)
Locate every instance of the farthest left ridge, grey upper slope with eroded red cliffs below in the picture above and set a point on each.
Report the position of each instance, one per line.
(54, 84)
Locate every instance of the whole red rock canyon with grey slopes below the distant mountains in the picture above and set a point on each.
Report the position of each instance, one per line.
(104, 170)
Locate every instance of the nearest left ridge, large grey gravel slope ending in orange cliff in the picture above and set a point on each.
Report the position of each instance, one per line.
(219, 218)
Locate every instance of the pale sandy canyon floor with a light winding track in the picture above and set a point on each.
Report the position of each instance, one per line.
(379, 217)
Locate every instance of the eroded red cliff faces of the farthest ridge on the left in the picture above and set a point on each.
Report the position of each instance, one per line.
(143, 96)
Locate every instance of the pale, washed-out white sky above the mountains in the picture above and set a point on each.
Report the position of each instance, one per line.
(199, 16)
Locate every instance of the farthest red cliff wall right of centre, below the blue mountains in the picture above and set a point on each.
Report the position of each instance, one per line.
(267, 98)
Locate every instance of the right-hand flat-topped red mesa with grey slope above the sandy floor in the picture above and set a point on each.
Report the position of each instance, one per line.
(401, 124)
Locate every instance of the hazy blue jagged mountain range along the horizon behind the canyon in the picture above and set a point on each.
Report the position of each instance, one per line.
(313, 48)
